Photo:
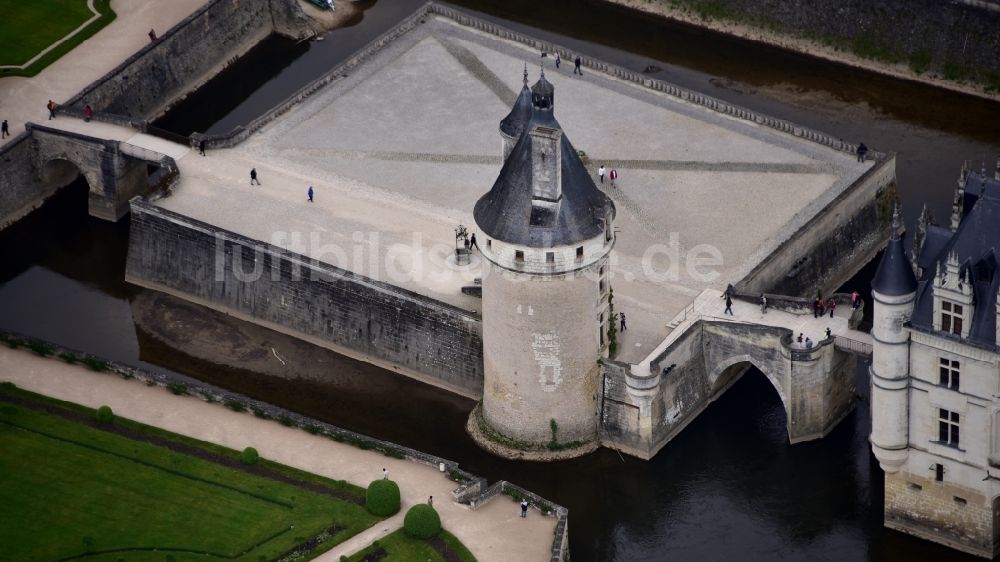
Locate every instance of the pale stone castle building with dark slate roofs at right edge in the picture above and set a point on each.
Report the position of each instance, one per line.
(936, 374)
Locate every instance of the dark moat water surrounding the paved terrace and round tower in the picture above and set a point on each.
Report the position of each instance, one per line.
(729, 487)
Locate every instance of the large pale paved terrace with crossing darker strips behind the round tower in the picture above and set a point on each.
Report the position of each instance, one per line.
(399, 151)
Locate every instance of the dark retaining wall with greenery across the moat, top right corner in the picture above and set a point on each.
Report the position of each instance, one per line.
(944, 43)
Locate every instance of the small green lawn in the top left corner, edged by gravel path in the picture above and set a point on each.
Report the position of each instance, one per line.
(28, 27)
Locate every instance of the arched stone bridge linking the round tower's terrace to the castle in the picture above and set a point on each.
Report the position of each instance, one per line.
(645, 405)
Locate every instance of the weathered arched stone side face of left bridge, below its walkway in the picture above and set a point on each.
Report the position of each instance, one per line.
(115, 171)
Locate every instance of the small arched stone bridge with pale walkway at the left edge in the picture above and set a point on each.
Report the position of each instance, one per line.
(48, 158)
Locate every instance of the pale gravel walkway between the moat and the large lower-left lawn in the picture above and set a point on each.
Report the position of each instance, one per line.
(494, 532)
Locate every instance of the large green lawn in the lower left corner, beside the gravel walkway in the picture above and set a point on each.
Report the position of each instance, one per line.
(72, 491)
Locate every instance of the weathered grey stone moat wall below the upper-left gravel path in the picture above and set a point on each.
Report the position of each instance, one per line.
(187, 55)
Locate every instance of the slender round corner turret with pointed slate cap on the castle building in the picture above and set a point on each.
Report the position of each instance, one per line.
(893, 290)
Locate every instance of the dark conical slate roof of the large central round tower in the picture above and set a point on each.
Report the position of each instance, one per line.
(507, 211)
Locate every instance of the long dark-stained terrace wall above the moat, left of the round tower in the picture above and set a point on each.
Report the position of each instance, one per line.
(360, 317)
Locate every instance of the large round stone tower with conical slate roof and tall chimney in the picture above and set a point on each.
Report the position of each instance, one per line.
(547, 236)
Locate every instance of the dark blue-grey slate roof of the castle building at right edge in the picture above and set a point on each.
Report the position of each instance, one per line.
(977, 244)
